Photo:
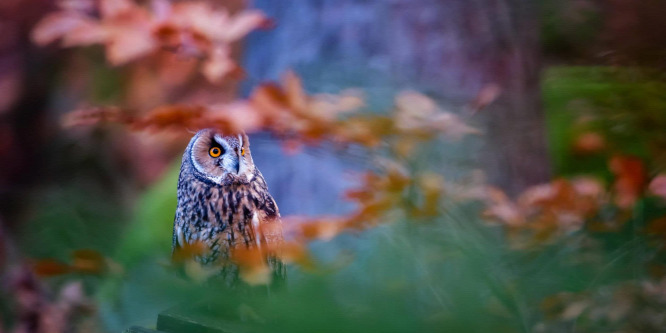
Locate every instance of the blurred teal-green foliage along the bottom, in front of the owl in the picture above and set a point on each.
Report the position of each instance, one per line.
(441, 275)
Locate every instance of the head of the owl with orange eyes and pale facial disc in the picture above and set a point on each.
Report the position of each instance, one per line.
(220, 159)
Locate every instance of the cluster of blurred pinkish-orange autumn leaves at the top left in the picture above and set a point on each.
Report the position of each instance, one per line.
(130, 31)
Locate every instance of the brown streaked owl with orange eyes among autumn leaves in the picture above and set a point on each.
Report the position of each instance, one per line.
(223, 200)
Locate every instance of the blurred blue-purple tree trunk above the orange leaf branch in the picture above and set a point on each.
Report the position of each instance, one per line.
(450, 49)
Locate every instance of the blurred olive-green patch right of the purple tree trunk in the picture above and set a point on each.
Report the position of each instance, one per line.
(624, 105)
